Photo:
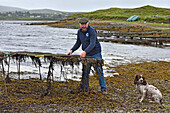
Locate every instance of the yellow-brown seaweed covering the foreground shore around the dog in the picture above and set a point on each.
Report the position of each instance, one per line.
(122, 96)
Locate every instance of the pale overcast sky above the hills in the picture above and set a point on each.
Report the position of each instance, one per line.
(83, 5)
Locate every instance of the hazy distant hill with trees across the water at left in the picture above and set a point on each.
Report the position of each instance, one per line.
(13, 13)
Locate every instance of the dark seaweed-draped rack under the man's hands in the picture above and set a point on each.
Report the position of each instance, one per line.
(59, 59)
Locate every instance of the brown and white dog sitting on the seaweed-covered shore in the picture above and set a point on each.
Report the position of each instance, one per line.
(149, 91)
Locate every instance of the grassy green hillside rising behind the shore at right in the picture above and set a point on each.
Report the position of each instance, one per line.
(146, 13)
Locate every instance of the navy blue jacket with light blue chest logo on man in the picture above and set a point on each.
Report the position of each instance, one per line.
(89, 41)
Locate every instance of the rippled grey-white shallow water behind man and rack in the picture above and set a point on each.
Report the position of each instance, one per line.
(16, 36)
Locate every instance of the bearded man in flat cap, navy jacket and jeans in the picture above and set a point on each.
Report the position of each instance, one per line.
(91, 47)
